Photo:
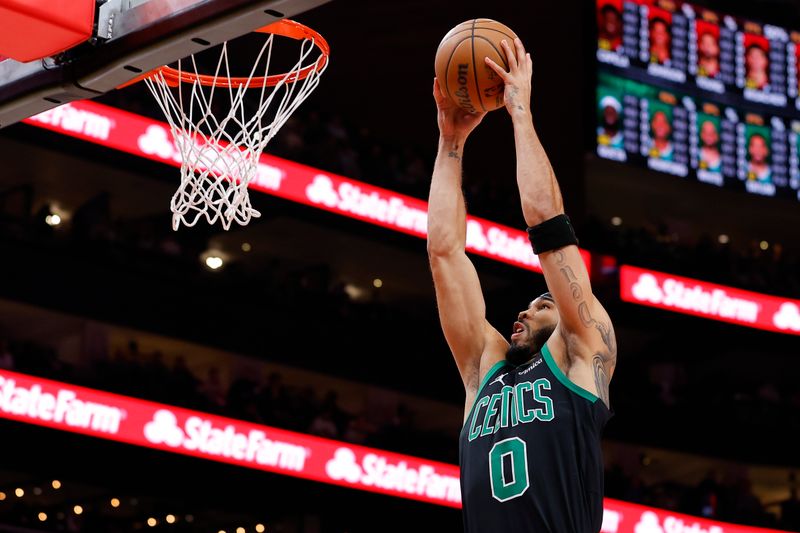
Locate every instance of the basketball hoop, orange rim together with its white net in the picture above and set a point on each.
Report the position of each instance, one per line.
(220, 150)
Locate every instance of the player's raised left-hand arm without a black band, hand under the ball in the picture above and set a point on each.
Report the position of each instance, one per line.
(462, 310)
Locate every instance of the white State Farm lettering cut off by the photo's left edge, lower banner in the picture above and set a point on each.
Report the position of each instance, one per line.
(63, 407)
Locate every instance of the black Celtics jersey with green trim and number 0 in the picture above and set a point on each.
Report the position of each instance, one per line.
(530, 452)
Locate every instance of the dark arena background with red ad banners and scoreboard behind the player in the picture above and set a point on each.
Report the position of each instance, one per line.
(291, 375)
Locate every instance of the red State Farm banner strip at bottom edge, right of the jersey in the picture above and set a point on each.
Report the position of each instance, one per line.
(620, 517)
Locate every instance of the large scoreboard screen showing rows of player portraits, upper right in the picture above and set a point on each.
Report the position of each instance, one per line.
(699, 94)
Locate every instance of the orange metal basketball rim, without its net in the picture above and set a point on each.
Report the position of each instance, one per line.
(284, 28)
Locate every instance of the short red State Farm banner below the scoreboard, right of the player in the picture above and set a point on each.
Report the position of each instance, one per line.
(717, 302)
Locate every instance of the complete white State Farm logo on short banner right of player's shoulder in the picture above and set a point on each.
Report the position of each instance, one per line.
(675, 294)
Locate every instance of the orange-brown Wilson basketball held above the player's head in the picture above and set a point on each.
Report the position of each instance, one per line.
(460, 67)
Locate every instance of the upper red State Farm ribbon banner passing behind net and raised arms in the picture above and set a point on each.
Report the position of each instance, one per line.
(144, 137)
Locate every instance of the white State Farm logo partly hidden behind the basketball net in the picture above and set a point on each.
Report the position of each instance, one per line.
(156, 141)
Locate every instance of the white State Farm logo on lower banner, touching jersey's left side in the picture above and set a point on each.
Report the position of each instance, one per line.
(375, 471)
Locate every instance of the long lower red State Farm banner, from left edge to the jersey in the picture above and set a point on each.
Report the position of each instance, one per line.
(110, 416)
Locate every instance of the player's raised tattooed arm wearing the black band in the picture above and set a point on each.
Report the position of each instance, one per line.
(584, 325)
